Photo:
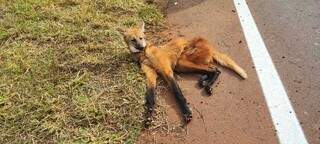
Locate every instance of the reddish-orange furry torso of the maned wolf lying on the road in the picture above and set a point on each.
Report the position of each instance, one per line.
(195, 50)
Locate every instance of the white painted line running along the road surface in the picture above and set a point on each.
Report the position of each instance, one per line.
(283, 116)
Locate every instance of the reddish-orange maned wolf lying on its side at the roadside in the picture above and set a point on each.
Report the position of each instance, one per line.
(180, 55)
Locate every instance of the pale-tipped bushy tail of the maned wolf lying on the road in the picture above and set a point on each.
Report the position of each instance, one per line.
(224, 60)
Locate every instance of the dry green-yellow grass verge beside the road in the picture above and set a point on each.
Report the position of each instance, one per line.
(65, 73)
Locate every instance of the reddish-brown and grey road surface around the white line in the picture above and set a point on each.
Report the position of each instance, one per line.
(237, 112)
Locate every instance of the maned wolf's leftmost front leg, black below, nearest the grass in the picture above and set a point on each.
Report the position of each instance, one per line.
(151, 76)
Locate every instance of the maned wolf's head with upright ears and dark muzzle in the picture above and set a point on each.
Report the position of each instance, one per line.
(135, 38)
